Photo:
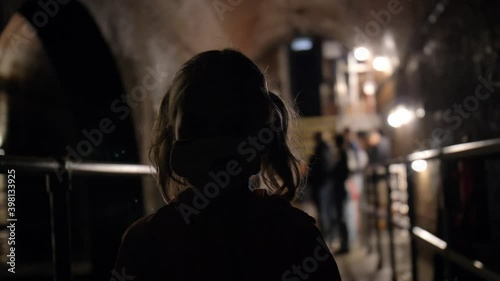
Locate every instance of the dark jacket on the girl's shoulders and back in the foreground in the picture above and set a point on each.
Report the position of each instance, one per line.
(239, 235)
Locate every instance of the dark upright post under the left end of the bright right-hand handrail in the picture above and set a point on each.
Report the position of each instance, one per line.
(411, 215)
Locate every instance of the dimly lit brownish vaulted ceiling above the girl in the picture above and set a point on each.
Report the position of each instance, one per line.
(161, 34)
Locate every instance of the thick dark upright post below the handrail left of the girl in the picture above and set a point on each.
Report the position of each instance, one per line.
(59, 190)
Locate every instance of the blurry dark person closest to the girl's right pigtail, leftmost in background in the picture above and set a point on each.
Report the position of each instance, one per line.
(321, 181)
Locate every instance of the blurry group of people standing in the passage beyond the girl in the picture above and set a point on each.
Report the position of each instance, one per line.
(330, 168)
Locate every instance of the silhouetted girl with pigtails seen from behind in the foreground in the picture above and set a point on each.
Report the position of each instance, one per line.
(217, 125)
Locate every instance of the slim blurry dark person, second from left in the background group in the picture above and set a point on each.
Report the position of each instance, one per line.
(340, 175)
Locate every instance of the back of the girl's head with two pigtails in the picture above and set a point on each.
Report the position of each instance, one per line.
(224, 95)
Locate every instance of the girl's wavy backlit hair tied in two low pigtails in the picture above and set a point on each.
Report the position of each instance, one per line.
(230, 76)
